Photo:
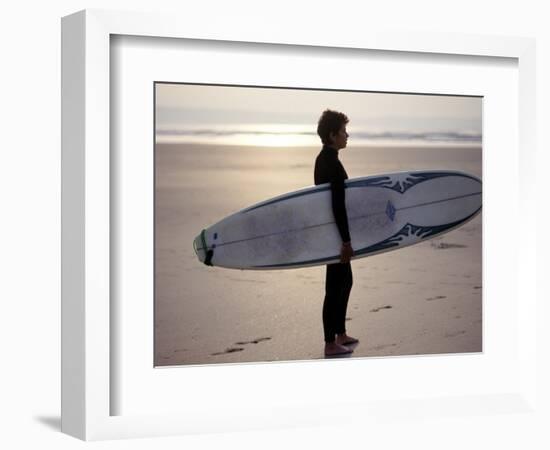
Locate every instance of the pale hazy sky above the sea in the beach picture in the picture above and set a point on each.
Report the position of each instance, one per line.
(179, 105)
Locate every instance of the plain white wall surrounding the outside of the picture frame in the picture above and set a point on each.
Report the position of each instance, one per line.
(30, 222)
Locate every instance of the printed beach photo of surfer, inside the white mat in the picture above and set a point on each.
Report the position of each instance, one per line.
(301, 224)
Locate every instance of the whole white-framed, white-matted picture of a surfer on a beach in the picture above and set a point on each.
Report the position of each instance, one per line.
(168, 130)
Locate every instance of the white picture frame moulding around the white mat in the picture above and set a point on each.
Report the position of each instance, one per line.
(87, 383)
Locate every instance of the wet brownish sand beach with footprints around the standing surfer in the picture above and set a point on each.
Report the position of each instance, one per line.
(424, 299)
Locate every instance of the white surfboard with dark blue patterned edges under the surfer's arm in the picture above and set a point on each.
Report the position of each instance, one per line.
(385, 212)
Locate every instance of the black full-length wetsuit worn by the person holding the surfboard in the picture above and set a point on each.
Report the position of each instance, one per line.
(339, 279)
